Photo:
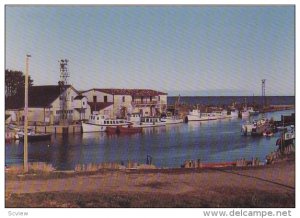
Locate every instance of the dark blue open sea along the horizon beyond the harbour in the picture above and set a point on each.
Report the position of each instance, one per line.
(227, 100)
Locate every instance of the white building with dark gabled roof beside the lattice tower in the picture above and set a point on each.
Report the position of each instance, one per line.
(45, 105)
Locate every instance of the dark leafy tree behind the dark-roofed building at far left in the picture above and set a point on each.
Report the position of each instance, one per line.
(15, 86)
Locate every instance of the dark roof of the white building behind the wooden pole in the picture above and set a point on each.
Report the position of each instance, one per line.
(38, 97)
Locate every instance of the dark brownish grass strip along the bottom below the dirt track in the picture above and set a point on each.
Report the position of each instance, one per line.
(240, 199)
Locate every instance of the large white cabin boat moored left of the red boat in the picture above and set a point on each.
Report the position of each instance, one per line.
(98, 123)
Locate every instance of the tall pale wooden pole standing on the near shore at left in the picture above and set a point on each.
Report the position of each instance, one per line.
(26, 116)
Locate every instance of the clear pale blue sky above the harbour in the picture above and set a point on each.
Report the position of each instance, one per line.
(195, 50)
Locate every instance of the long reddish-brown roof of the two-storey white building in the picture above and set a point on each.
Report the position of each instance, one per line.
(132, 92)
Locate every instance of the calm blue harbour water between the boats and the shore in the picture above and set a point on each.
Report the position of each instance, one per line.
(170, 146)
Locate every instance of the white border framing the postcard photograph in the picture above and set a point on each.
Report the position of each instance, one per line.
(144, 213)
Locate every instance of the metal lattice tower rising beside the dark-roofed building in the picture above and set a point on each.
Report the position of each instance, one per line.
(64, 74)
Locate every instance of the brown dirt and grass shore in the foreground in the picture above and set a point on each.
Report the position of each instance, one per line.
(262, 186)
